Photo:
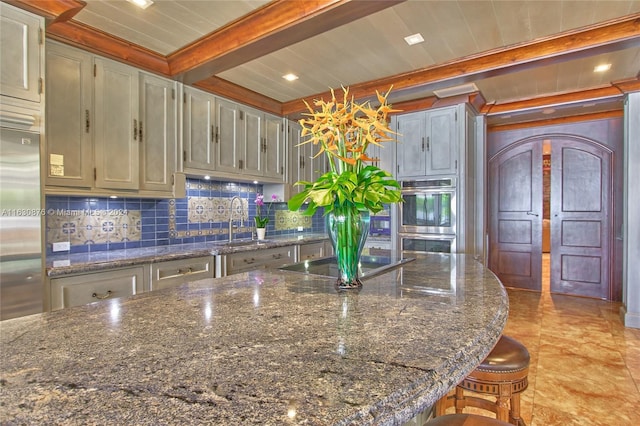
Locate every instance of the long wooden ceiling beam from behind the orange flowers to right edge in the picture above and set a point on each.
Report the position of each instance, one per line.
(614, 35)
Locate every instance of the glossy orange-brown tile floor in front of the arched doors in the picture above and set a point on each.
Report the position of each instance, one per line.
(585, 365)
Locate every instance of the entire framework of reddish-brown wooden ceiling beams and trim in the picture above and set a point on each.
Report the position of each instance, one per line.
(278, 23)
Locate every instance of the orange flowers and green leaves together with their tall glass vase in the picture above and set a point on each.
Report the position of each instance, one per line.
(351, 189)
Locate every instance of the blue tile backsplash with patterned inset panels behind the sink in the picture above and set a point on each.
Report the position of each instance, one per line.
(99, 224)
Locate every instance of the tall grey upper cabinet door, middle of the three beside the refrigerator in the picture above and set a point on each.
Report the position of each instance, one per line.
(117, 125)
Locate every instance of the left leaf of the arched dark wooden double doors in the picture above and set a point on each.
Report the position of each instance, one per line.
(515, 237)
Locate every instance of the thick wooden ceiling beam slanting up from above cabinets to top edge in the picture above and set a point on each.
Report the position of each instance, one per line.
(278, 24)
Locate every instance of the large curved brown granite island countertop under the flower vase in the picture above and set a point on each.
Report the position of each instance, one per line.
(264, 347)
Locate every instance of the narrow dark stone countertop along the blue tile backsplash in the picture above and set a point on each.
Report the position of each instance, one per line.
(65, 264)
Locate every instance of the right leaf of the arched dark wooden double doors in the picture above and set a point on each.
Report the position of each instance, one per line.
(580, 199)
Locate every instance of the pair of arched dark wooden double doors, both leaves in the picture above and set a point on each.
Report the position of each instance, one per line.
(580, 216)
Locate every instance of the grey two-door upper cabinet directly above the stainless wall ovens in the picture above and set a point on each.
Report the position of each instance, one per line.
(427, 143)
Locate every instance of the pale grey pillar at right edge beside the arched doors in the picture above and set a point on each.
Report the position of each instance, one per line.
(630, 311)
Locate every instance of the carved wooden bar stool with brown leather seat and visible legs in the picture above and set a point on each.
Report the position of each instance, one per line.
(503, 374)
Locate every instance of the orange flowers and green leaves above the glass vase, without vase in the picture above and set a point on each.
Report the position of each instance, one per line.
(343, 129)
